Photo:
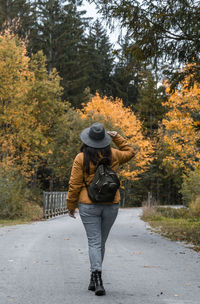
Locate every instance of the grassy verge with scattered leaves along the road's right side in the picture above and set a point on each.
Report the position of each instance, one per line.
(175, 224)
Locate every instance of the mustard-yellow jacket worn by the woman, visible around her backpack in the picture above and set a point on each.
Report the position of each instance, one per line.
(77, 192)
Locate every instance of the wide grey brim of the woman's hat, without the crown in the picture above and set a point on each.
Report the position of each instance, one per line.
(95, 143)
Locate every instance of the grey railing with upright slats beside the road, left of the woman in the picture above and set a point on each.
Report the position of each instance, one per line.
(54, 203)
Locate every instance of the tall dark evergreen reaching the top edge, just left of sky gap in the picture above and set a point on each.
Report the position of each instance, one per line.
(71, 50)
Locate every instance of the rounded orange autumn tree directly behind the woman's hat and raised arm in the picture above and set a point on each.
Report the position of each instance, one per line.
(124, 119)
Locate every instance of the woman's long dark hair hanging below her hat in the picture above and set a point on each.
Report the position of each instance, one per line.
(94, 155)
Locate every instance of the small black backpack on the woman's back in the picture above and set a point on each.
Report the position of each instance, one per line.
(104, 184)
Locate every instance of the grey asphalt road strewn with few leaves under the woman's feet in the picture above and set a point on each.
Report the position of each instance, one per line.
(47, 262)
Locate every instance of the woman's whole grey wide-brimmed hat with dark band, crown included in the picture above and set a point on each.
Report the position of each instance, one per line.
(95, 136)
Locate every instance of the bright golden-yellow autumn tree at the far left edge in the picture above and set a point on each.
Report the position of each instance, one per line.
(14, 85)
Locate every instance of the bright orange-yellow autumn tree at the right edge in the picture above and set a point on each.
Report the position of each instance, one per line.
(180, 128)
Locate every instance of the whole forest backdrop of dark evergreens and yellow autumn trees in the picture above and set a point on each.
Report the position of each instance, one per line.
(59, 73)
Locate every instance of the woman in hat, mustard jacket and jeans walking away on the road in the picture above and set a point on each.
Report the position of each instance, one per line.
(93, 170)
